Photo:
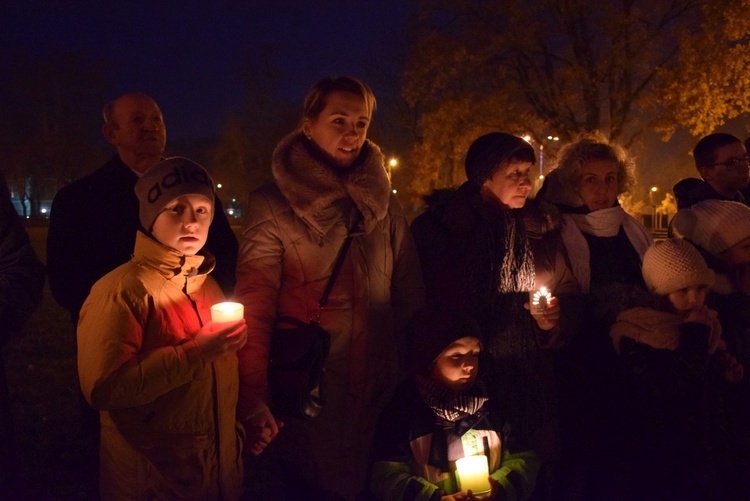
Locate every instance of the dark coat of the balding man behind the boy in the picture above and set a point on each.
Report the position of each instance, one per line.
(93, 222)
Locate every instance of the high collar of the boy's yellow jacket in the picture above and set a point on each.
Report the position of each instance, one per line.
(171, 264)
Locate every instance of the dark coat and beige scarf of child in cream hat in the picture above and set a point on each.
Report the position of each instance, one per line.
(670, 390)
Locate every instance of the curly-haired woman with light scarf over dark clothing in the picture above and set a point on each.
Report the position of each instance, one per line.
(604, 247)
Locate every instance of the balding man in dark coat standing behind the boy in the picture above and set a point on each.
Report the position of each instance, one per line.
(94, 220)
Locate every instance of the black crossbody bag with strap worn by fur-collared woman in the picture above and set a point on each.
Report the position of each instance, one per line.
(299, 351)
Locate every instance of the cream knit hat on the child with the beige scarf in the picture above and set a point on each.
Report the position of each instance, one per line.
(674, 264)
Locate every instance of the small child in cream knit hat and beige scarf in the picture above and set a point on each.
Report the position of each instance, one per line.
(673, 361)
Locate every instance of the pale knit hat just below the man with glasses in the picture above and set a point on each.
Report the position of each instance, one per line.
(714, 225)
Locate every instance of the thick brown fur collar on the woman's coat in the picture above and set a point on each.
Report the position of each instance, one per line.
(310, 185)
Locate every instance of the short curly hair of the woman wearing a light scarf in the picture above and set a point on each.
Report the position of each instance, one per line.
(594, 146)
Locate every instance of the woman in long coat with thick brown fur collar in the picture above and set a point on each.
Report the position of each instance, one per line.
(327, 178)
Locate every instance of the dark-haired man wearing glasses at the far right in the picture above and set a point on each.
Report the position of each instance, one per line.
(722, 161)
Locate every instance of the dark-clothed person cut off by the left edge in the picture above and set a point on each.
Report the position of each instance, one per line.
(21, 282)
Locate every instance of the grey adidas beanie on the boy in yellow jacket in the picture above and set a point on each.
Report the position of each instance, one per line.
(169, 179)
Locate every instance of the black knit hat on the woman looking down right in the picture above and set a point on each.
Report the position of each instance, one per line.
(488, 152)
